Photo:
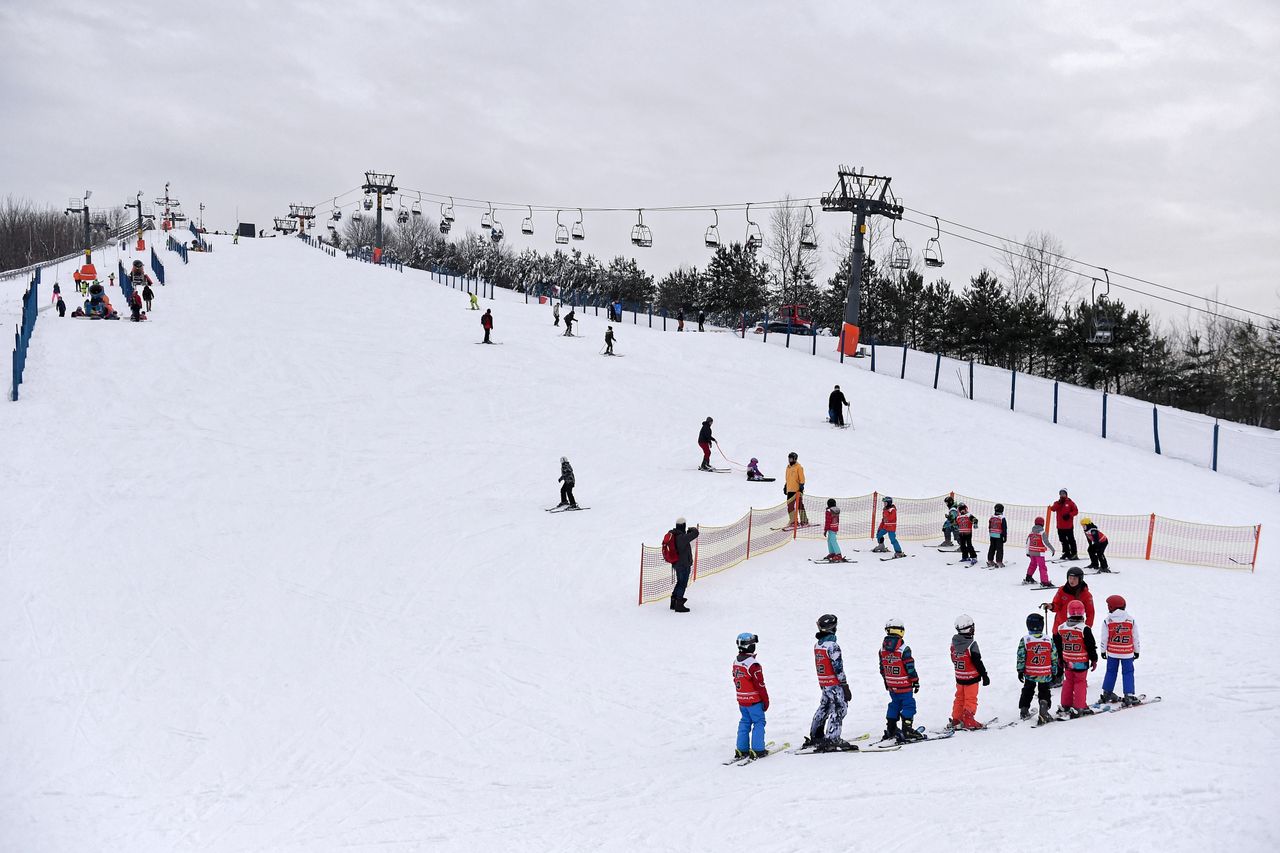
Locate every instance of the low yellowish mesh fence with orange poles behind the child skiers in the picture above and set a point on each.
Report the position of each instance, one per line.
(1131, 537)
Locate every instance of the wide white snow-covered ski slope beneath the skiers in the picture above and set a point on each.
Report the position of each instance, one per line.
(277, 577)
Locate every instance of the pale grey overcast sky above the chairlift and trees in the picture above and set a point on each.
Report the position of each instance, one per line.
(1144, 135)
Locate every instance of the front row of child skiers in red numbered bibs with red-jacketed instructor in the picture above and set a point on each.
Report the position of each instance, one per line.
(1066, 656)
